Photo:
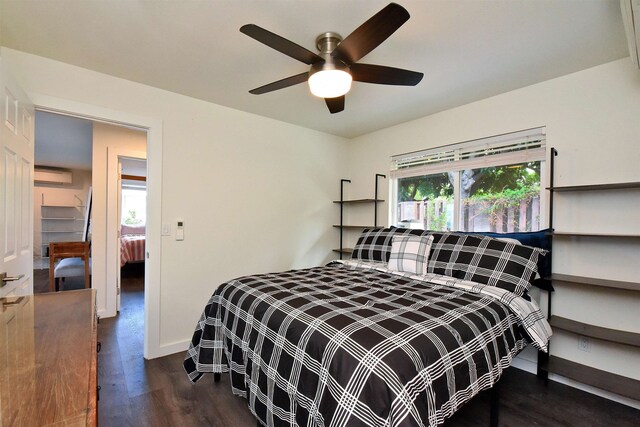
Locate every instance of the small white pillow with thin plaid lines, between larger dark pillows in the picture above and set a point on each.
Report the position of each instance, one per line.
(410, 253)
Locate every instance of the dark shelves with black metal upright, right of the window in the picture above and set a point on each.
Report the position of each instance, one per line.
(604, 380)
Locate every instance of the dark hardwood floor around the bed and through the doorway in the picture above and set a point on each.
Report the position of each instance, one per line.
(138, 392)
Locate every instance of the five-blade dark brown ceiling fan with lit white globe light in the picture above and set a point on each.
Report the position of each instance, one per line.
(336, 65)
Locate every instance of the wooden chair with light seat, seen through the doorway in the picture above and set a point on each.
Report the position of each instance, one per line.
(73, 256)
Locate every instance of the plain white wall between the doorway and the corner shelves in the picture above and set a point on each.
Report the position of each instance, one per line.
(254, 193)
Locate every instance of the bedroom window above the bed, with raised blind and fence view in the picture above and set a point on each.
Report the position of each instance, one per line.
(491, 184)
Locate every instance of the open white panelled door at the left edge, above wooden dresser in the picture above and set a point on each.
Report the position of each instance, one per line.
(16, 187)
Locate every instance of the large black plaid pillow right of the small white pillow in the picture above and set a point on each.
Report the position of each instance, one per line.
(484, 260)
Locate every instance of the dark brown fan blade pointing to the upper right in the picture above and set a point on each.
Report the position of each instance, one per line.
(370, 34)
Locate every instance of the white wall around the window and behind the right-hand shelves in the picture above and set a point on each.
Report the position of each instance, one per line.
(593, 119)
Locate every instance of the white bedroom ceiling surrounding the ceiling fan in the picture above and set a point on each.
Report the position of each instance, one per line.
(467, 49)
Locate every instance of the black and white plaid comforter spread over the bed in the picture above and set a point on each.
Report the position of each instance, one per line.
(355, 345)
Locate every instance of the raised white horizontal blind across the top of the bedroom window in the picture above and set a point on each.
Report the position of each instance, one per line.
(512, 148)
